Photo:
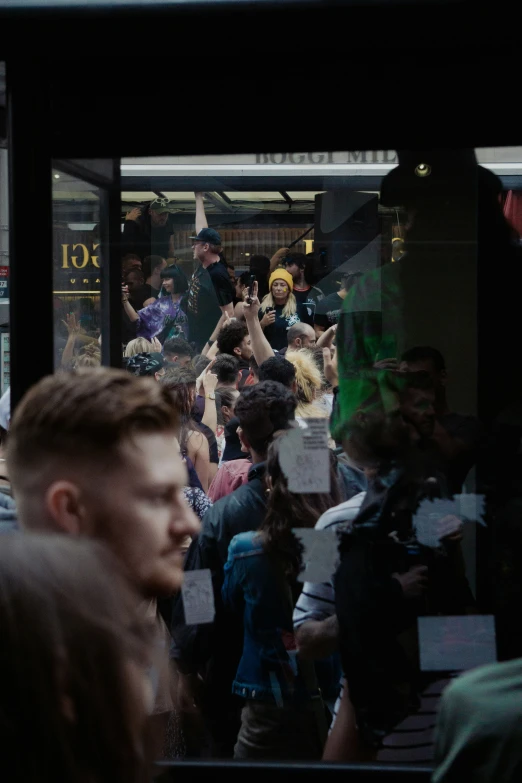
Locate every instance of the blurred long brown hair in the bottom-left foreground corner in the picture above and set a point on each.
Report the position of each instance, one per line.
(70, 631)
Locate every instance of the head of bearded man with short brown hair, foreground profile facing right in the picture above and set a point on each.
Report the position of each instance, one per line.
(95, 454)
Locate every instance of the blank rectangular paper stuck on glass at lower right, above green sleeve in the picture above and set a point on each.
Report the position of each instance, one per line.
(456, 643)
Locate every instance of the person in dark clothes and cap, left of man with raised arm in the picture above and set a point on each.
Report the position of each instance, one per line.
(148, 229)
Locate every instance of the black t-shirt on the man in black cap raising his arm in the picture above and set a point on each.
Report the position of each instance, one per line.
(209, 290)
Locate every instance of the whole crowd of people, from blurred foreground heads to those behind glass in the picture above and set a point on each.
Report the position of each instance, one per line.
(119, 485)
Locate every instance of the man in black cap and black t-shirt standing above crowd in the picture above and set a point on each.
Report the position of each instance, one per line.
(210, 292)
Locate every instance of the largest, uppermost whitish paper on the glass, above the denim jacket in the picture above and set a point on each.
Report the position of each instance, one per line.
(305, 458)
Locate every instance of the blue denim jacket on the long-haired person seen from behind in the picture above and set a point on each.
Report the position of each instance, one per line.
(255, 587)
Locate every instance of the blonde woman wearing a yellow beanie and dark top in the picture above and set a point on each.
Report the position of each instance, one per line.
(279, 309)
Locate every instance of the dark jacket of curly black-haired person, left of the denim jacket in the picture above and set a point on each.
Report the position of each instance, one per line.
(218, 646)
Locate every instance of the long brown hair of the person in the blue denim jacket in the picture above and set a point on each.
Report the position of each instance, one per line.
(286, 509)
